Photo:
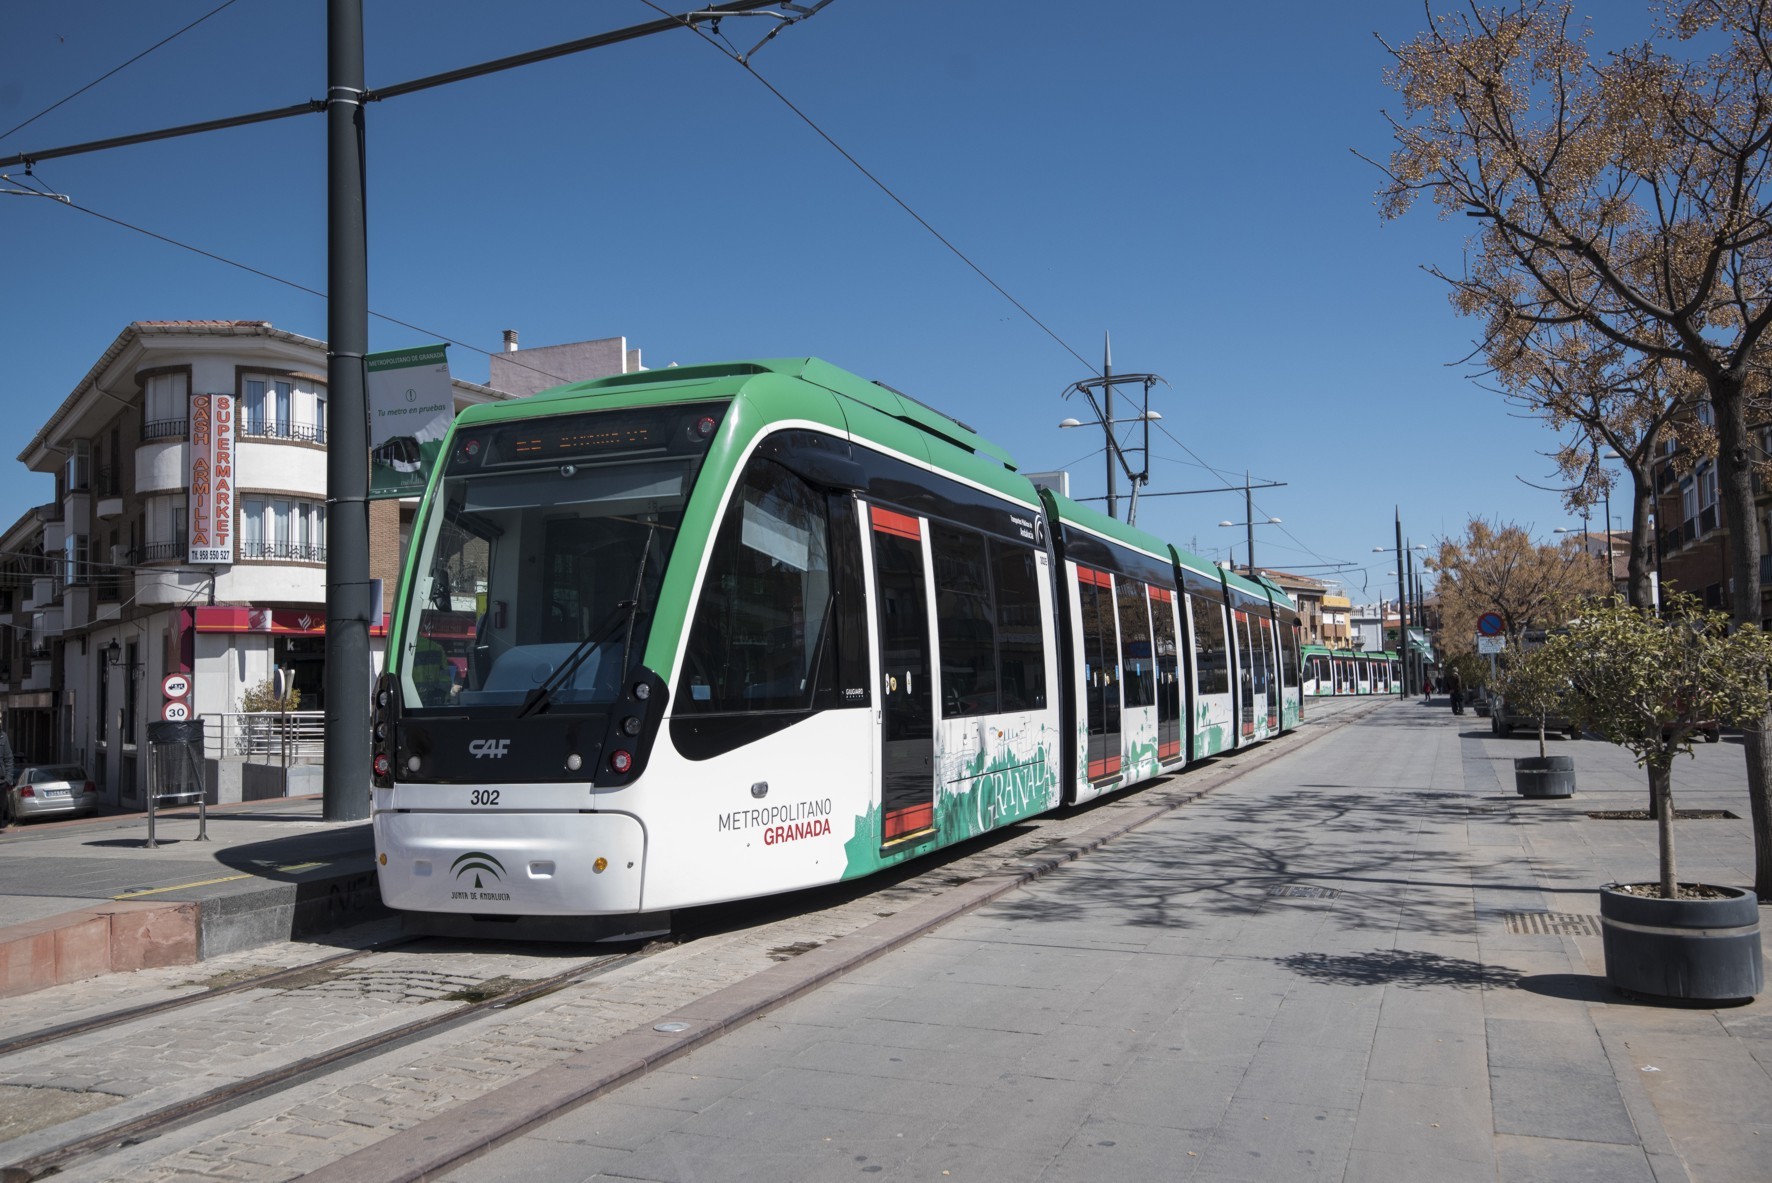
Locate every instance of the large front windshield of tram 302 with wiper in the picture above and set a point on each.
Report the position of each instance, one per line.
(545, 548)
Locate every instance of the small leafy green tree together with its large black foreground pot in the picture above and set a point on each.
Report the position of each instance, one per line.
(1649, 686)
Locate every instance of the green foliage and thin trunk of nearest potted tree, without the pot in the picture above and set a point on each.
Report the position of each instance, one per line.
(1649, 684)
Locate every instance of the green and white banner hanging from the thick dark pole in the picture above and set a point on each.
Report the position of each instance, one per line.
(410, 408)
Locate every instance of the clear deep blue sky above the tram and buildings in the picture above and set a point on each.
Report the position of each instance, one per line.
(1177, 174)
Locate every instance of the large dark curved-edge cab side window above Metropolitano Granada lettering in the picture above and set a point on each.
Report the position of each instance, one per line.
(761, 638)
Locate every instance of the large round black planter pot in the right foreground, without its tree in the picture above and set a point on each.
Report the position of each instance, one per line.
(1704, 950)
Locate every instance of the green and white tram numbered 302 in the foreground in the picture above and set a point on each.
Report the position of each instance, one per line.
(742, 630)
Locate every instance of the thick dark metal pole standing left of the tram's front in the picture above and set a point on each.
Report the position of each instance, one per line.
(348, 663)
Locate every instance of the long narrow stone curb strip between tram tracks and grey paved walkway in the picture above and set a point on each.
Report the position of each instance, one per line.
(446, 1141)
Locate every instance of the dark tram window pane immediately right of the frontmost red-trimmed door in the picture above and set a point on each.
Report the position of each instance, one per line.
(965, 622)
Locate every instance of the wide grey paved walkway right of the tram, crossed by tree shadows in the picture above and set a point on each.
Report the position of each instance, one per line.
(1367, 961)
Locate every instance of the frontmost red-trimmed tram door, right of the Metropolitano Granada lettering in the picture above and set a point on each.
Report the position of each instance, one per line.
(908, 725)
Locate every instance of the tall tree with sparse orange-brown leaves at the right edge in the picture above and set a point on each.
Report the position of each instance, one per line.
(1622, 194)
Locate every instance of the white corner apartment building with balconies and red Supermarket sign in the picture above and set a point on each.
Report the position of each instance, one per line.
(104, 599)
